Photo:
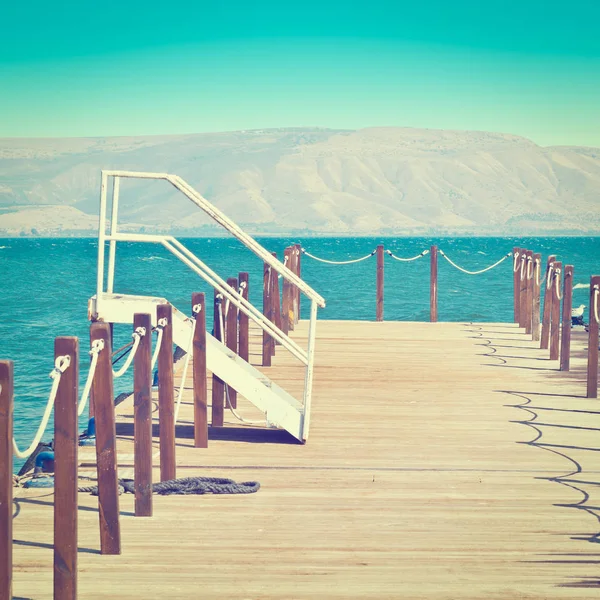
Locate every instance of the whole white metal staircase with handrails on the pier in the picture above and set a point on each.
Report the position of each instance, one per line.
(279, 406)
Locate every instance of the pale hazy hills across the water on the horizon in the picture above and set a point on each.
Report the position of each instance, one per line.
(370, 181)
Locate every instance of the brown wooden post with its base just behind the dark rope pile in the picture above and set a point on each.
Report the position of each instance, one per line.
(166, 397)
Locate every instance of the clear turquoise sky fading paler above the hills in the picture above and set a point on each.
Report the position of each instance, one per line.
(530, 67)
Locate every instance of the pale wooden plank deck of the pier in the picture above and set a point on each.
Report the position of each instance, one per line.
(418, 481)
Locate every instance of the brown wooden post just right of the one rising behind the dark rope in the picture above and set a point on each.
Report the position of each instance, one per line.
(199, 374)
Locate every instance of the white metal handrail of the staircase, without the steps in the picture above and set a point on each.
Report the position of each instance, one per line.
(187, 257)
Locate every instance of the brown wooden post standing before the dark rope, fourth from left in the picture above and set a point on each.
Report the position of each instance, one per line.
(142, 417)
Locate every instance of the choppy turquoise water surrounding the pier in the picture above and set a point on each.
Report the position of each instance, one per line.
(46, 284)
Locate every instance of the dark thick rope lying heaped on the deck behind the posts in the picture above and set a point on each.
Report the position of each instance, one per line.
(186, 486)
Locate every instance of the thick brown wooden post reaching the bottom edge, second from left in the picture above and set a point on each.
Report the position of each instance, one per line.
(66, 439)
